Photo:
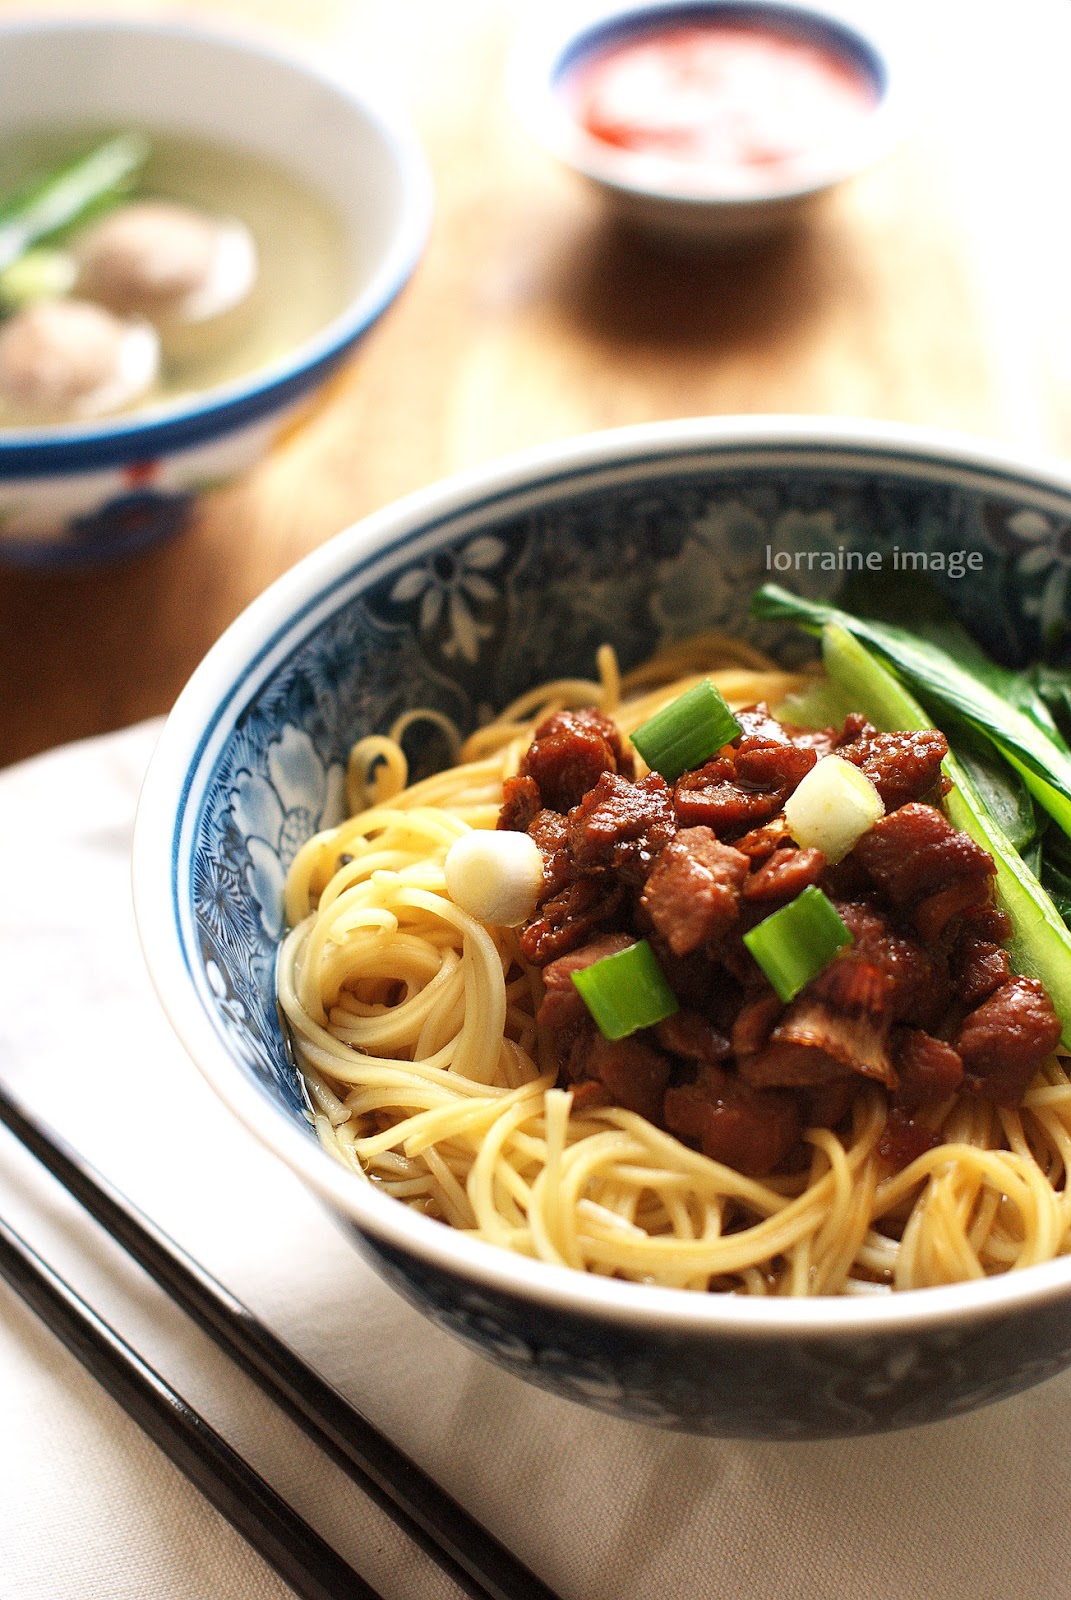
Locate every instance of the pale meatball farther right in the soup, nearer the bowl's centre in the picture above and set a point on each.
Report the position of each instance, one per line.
(167, 262)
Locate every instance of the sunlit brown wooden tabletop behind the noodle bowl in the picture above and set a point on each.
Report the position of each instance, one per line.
(936, 290)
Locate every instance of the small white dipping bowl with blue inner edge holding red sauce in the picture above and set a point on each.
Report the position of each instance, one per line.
(672, 198)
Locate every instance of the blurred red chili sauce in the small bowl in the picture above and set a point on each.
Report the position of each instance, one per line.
(729, 106)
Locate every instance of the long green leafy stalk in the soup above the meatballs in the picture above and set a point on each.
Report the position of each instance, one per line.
(68, 194)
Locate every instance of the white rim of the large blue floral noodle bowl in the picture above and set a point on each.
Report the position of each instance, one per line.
(209, 694)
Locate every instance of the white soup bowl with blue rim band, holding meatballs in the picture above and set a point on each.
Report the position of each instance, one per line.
(89, 494)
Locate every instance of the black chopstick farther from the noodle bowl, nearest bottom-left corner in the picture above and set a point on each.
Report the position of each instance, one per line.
(273, 1527)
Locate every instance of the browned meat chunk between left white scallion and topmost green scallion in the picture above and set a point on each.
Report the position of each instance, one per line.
(622, 826)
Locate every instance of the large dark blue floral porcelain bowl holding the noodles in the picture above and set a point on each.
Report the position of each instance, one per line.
(459, 599)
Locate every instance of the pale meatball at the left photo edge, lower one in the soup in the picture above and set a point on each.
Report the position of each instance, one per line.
(68, 361)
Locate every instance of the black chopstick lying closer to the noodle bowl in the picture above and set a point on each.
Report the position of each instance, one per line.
(438, 1524)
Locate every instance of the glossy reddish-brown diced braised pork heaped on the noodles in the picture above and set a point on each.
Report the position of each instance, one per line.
(923, 1002)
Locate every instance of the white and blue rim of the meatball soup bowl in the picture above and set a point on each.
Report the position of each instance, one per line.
(241, 401)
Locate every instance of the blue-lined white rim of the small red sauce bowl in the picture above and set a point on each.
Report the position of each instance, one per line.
(545, 44)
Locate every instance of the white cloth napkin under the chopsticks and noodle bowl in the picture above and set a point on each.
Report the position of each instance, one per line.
(601, 1510)
